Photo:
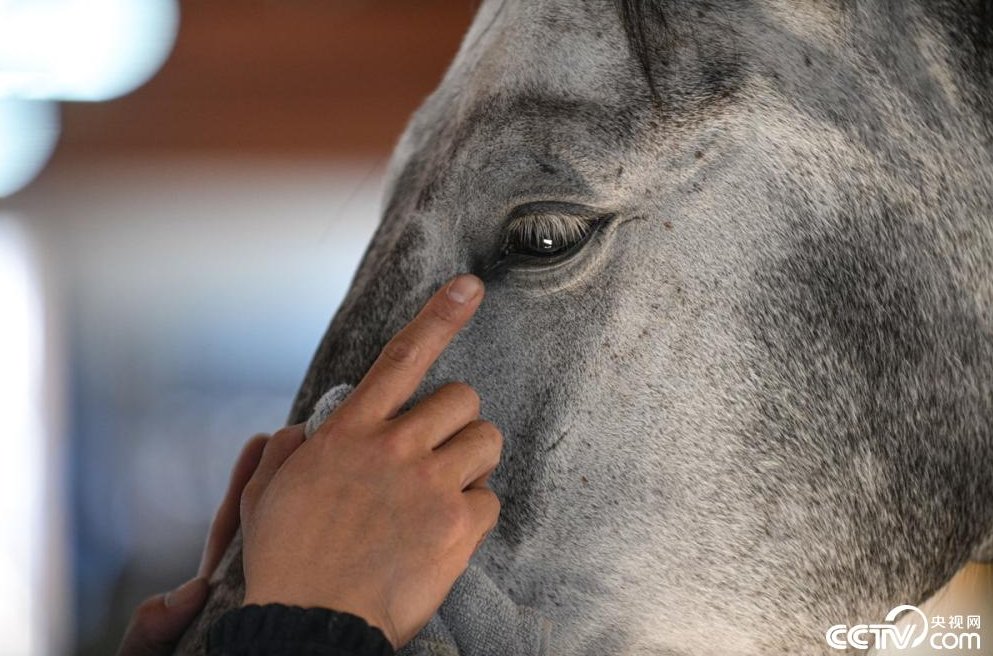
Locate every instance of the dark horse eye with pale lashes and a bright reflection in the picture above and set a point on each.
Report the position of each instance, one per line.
(547, 230)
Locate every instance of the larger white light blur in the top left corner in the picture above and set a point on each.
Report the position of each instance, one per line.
(82, 49)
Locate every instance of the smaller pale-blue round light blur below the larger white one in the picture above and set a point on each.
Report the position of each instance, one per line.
(28, 132)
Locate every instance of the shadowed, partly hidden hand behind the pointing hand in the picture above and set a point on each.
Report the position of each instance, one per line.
(160, 621)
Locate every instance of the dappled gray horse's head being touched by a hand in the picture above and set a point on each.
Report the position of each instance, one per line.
(738, 330)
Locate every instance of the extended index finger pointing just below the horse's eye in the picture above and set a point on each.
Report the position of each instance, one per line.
(406, 358)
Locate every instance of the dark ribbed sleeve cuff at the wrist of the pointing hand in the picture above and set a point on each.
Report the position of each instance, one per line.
(275, 630)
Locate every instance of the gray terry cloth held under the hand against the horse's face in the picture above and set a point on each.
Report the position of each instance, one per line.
(477, 618)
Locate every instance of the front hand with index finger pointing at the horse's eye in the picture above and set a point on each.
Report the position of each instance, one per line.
(378, 514)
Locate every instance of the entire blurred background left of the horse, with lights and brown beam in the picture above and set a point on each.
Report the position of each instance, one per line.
(169, 259)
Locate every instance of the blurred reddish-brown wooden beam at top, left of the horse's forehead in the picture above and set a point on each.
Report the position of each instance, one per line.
(280, 77)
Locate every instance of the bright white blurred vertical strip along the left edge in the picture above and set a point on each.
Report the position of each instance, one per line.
(22, 467)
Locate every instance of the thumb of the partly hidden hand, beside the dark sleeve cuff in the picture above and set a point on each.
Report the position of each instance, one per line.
(159, 622)
